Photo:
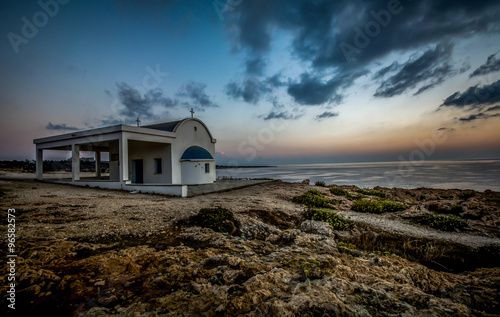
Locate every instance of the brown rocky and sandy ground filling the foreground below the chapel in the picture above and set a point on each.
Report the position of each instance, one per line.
(92, 252)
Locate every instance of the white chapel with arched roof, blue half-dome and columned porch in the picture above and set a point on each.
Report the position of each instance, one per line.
(162, 158)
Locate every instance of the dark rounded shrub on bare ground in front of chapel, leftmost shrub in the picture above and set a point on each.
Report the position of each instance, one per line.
(217, 219)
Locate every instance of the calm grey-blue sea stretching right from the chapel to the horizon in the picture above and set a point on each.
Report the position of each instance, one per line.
(474, 174)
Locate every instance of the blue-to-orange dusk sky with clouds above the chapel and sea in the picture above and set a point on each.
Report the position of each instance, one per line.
(277, 82)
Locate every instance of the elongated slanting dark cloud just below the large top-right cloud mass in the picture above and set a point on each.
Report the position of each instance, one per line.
(430, 69)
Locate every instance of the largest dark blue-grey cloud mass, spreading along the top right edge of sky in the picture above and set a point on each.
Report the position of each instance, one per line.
(319, 27)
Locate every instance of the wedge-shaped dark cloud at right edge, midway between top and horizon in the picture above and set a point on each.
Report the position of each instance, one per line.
(475, 96)
